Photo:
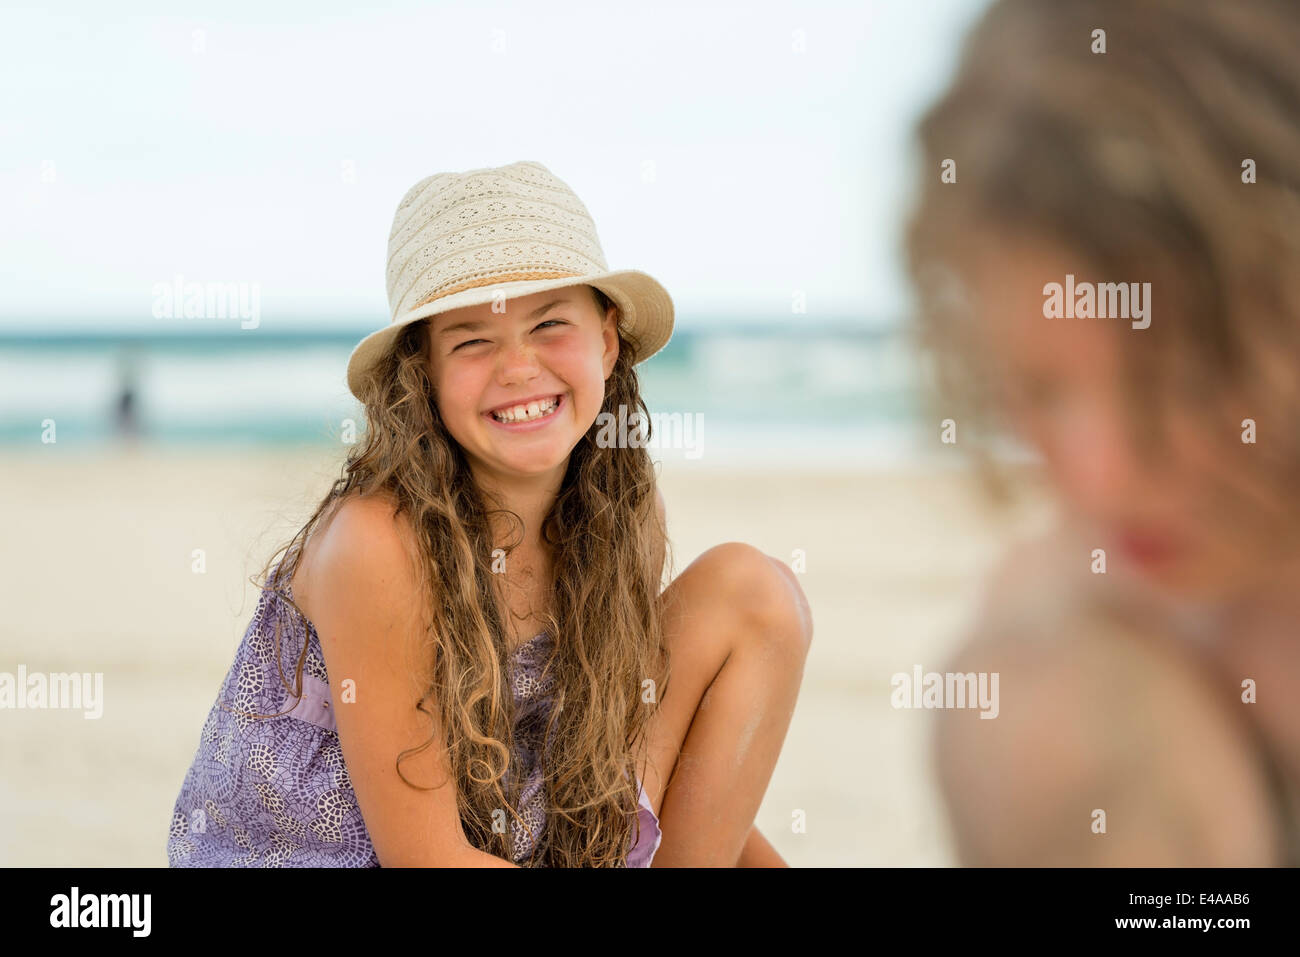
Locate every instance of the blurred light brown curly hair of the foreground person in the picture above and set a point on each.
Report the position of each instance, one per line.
(1136, 159)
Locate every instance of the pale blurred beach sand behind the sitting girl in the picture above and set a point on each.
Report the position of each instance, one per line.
(97, 577)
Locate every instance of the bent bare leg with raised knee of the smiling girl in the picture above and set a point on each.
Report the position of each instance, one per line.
(738, 630)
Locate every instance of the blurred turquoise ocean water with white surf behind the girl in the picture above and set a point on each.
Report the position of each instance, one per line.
(830, 395)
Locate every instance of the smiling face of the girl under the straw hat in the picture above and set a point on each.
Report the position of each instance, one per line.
(519, 389)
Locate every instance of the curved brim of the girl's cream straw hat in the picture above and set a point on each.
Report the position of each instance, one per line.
(645, 306)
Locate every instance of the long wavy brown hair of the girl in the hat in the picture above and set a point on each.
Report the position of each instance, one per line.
(609, 557)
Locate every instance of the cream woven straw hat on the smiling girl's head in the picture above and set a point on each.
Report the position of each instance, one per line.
(465, 239)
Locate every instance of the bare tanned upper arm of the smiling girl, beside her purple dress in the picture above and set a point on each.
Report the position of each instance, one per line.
(365, 600)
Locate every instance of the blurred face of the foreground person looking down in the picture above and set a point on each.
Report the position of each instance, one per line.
(1061, 386)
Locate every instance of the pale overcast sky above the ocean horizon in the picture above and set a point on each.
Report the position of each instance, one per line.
(738, 154)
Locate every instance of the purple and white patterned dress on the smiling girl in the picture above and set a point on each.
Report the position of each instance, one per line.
(276, 793)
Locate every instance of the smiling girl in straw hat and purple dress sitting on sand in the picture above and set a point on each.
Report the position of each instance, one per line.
(463, 659)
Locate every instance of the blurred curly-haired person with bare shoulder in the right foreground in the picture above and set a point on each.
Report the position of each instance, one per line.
(1145, 155)
